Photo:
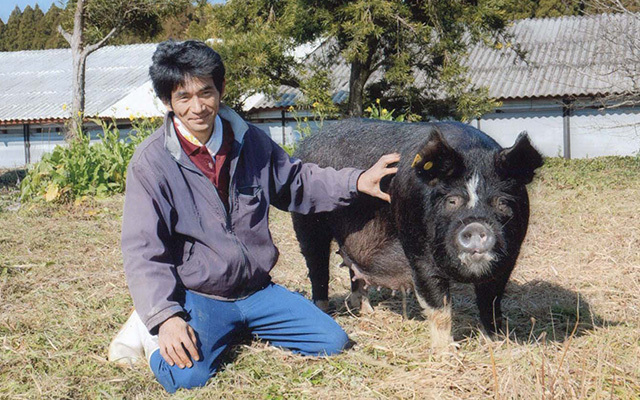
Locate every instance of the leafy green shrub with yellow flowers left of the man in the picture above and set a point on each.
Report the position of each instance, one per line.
(85, 169)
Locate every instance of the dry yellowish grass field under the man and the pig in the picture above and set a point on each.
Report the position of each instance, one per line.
(573, 309)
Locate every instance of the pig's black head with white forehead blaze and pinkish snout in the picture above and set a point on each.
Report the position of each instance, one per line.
(473, 202)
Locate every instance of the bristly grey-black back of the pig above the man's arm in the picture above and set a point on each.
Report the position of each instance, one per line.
(360, 142)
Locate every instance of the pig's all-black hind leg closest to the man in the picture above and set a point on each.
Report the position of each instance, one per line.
(315, 237)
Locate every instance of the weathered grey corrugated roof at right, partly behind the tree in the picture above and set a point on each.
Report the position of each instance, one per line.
(568, 56)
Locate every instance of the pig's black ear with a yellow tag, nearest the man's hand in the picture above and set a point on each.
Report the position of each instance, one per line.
(436, 160)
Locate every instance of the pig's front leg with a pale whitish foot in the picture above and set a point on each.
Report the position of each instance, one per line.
(433, 296)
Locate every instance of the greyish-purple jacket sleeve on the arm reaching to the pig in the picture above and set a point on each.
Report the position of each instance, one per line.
(306, 188)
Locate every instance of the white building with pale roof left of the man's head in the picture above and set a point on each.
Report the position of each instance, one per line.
(35, 96)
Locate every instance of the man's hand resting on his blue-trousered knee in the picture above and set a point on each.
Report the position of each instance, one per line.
(174, 337)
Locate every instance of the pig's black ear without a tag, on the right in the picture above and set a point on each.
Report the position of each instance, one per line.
(519, 161)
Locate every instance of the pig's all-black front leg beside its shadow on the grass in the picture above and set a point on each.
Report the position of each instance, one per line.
(488, 299)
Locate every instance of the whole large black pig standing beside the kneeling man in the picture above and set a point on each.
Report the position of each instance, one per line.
(459, 212)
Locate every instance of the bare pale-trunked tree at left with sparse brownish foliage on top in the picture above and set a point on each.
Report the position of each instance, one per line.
(94, 23)
